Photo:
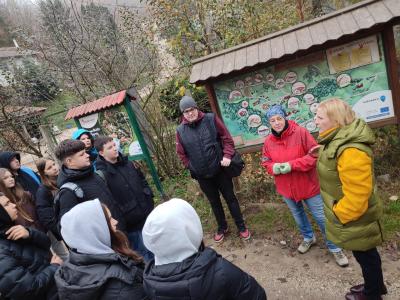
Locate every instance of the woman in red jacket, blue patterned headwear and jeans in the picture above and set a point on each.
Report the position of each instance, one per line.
(288, 155)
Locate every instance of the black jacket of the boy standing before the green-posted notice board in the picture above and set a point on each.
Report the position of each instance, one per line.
(130, 190)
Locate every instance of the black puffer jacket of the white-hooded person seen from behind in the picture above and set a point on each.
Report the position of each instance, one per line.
(205, 275)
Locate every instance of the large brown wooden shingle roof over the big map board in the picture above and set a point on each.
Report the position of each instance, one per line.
(352, 19)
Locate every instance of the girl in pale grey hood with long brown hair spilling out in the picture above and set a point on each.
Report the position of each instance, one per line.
(100, 265)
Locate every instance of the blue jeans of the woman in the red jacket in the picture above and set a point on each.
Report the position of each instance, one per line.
(315, 206)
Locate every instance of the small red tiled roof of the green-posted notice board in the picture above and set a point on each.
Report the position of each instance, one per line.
(96, 105)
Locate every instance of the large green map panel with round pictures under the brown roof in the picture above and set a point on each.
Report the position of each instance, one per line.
(354, 72)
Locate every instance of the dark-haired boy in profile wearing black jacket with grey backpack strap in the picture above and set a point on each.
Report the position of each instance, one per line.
(77, 169)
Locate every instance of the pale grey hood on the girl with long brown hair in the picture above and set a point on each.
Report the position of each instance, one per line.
(84, 228)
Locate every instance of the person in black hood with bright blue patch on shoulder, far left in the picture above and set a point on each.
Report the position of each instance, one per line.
(25, 176)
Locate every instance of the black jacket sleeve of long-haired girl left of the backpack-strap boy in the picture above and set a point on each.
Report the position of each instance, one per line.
(45, 210)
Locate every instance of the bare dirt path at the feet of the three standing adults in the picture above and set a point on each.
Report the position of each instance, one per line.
(286, 274)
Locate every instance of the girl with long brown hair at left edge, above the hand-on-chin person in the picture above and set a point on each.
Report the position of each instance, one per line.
(22, 199)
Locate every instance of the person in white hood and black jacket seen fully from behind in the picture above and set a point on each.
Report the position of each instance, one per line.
(182, 267)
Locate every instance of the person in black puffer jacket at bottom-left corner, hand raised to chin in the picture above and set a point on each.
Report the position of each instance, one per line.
(26, 271)
